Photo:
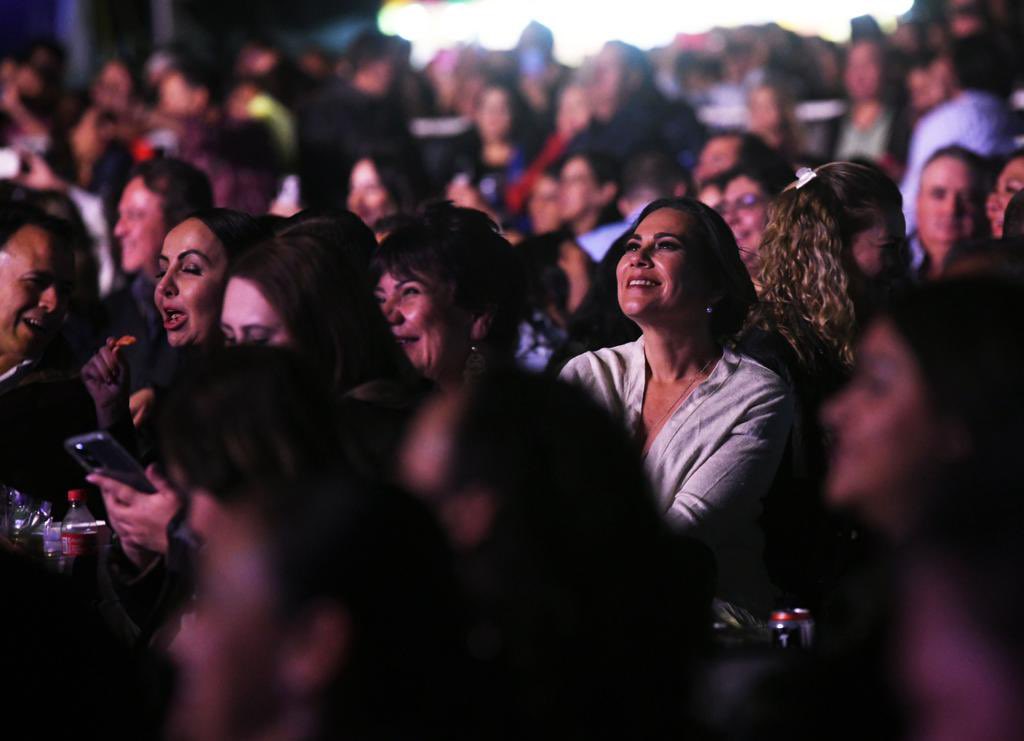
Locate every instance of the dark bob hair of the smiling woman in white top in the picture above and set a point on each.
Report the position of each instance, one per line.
(727, 271)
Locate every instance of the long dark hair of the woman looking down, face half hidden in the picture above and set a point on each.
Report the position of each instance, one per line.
(327, 307)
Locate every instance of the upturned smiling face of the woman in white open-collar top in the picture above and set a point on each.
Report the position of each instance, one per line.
(662, 277)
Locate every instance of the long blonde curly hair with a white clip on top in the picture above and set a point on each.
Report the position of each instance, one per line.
(807, 263)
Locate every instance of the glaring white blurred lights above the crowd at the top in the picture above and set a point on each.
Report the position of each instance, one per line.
(581, 27)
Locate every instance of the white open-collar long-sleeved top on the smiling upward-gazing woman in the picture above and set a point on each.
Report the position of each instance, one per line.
(713, 461)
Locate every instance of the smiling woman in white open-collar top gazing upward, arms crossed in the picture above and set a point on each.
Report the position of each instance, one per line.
(713, 423)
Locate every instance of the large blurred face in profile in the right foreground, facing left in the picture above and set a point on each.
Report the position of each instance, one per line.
(888, 438)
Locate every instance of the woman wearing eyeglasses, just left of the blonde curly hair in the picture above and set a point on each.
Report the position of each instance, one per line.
(747, 192)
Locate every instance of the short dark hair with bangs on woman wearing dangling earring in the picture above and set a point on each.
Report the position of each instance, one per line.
(461, 249)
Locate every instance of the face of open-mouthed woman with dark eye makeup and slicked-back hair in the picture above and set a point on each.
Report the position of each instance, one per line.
(191, 288)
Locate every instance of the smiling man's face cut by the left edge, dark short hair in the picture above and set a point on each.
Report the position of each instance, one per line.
(36, 281)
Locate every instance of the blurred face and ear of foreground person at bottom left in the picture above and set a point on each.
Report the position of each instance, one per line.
(248, 667)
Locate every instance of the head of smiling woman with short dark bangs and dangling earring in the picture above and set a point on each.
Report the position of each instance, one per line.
(452, 289)
